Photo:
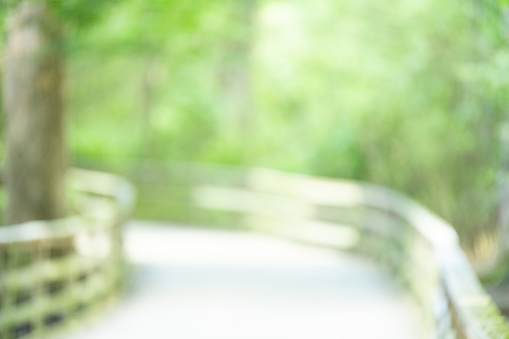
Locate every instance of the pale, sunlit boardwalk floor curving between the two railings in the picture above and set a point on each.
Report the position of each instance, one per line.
(191, 283)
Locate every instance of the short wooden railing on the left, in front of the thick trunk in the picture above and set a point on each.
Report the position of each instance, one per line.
(52, 272)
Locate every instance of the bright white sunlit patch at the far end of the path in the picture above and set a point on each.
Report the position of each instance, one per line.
(181, 246)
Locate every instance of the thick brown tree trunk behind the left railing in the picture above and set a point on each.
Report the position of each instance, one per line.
(33, 104)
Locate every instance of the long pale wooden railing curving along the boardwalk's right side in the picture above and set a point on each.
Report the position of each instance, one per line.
(419, 247)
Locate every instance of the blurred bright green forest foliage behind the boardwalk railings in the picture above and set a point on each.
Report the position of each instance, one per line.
(406, 94)
